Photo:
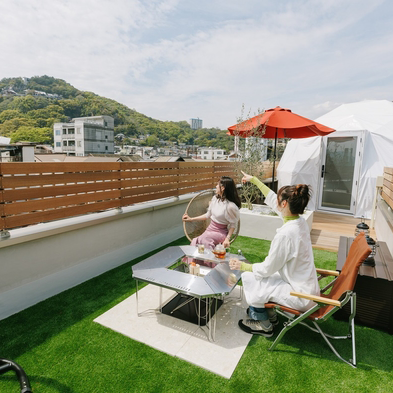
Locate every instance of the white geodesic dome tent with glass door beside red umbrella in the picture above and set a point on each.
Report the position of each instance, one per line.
(368, 125)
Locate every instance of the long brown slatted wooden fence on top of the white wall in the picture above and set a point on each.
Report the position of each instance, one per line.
(32, 193)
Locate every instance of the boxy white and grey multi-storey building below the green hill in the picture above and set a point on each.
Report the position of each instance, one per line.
(85, 135)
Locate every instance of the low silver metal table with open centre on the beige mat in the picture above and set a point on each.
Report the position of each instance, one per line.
(166, 269)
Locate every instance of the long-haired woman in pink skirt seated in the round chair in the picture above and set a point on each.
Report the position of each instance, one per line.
(223, 212)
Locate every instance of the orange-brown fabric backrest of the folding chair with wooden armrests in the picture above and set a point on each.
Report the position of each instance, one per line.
(358, 252)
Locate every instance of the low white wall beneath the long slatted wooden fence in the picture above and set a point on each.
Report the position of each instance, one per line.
(43, 260)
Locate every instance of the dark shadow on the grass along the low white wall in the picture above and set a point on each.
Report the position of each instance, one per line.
(29, 328)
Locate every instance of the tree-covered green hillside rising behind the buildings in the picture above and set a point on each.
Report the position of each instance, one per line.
(28, 114)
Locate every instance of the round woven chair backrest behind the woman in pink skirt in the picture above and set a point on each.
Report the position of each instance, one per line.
(197, 206)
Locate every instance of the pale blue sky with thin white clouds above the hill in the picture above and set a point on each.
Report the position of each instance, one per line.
(178, 59)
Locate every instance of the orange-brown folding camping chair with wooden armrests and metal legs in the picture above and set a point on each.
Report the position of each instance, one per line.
(326, 305)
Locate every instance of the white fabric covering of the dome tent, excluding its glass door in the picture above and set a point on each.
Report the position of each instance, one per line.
(301, 161)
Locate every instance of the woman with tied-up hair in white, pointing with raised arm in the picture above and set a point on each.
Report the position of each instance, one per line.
(289, 265)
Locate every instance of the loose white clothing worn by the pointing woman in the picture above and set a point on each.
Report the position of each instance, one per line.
(288, 267)
